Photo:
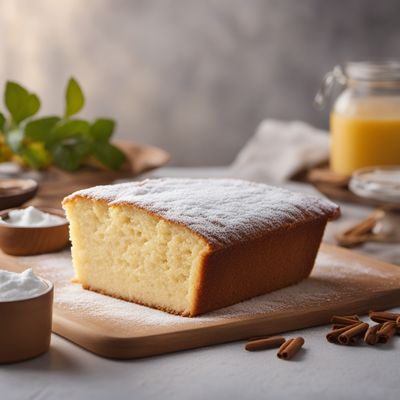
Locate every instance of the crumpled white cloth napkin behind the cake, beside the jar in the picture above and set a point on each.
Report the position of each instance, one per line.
(279, 150)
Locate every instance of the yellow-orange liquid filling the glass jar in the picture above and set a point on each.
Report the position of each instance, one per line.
(367, 135)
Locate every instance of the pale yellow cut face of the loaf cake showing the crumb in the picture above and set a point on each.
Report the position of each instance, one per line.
(126, 252)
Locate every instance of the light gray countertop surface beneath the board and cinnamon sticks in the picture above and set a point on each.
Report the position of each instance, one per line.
(322, 370)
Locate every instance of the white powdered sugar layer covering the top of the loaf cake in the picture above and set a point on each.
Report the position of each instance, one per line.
(223, 211)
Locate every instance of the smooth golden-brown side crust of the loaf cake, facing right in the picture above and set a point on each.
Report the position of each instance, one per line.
(254, 268)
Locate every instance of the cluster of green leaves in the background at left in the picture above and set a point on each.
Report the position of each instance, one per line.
(64, 141)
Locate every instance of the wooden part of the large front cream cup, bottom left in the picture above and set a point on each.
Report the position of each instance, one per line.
(26, 326)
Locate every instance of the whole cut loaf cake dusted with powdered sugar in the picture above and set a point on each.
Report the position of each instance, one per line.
(188, 246)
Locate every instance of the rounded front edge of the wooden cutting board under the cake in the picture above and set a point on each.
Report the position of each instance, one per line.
(123, 348)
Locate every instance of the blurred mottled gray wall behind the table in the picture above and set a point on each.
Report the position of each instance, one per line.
(192, 76)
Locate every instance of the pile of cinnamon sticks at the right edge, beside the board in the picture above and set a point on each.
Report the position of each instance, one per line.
(349, 329)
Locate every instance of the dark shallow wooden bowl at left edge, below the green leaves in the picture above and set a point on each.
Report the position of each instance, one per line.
(15, 192)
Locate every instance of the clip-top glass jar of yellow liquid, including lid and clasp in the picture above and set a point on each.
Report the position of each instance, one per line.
(365, 118)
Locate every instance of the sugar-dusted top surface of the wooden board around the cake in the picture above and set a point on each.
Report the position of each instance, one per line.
(333, 279)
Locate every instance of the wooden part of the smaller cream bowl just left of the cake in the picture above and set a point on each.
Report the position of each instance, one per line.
(25, 241)
